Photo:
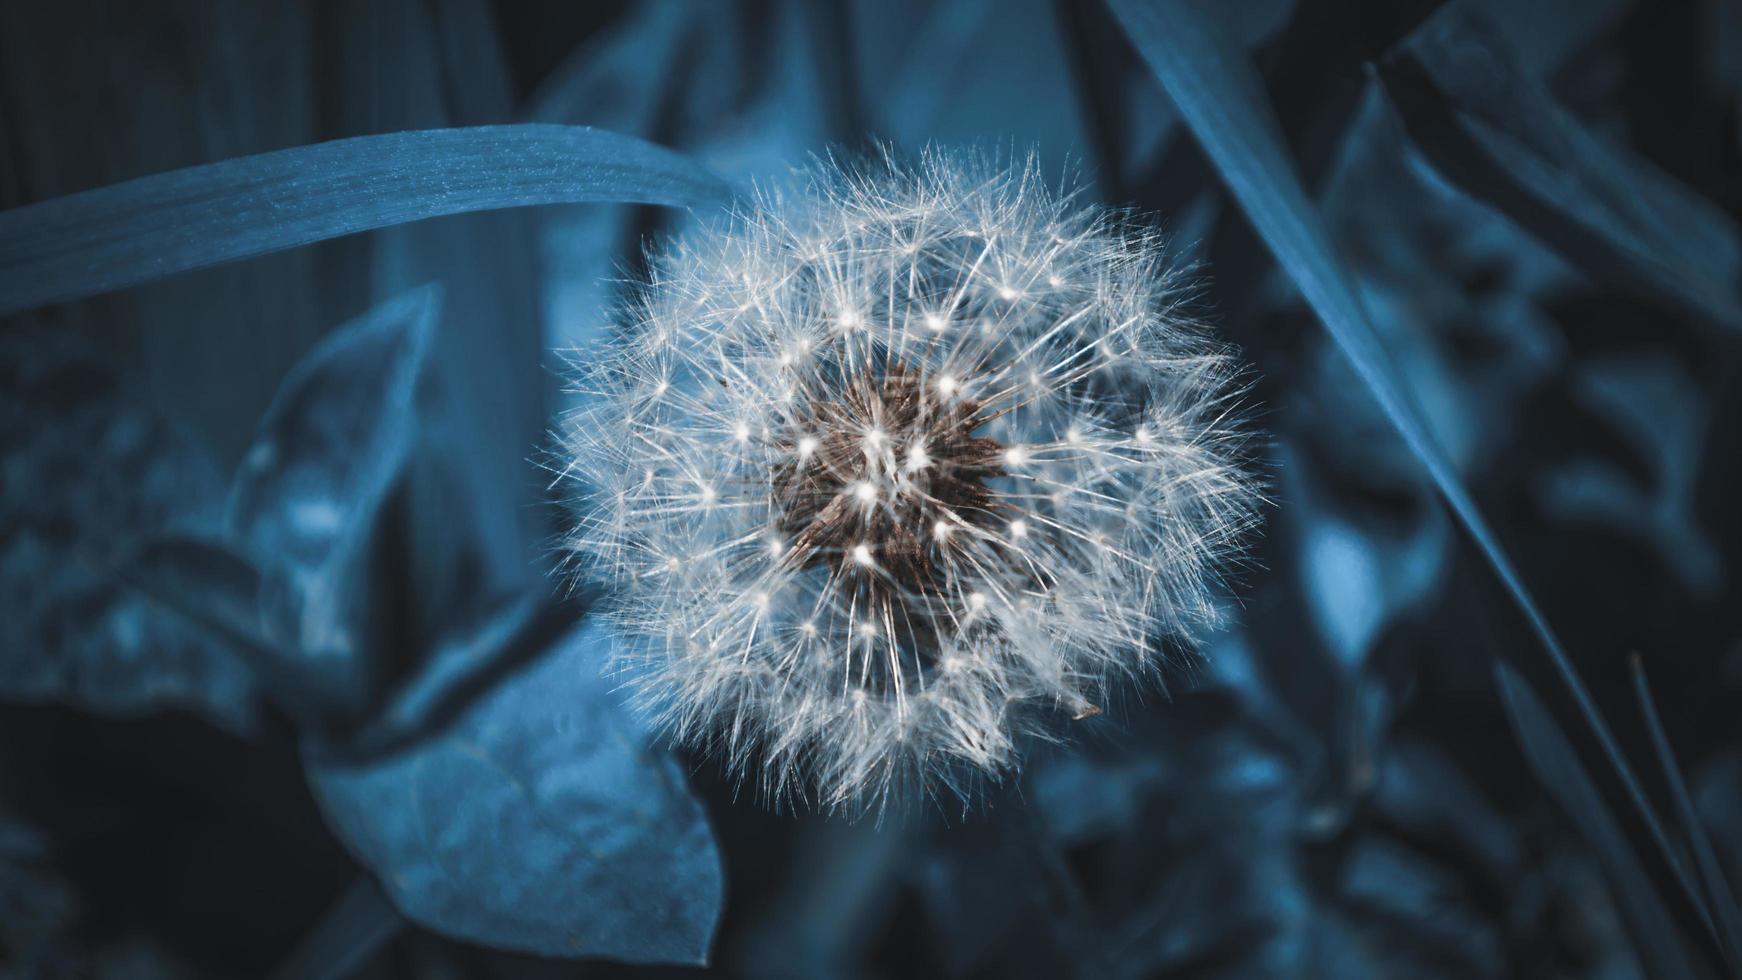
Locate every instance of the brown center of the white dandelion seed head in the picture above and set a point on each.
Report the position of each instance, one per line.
(886, 478)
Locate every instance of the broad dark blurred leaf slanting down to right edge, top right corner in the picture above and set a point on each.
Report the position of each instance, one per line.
(1499, 133)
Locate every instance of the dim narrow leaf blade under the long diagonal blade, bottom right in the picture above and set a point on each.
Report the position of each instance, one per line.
(1555, 762)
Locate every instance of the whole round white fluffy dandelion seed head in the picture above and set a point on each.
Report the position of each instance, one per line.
(889, 469)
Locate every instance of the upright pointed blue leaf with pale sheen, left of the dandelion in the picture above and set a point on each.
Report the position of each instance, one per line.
(313, 488)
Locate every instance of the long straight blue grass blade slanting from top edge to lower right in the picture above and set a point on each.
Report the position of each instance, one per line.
(1224, 104)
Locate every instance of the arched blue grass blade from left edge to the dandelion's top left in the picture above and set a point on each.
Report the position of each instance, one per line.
(201, 217)
